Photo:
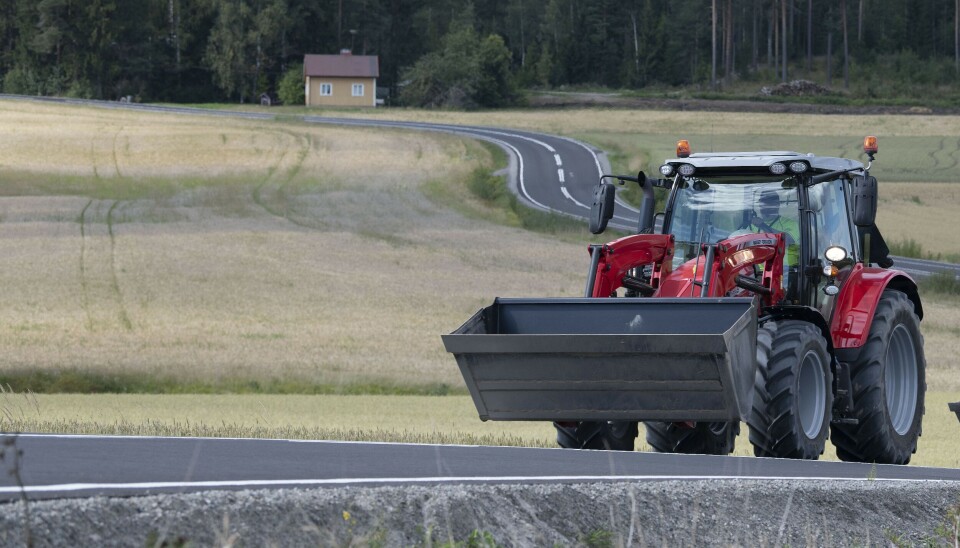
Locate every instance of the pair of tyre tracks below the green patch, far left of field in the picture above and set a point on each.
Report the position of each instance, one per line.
(101, 297)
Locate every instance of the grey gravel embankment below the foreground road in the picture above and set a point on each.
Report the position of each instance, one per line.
(669, 513)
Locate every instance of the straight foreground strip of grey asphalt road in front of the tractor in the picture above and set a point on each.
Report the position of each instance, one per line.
(52, 466)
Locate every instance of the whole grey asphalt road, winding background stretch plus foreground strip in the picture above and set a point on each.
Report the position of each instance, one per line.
(552, 173)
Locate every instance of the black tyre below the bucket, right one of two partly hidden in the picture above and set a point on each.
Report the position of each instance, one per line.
(703, 438)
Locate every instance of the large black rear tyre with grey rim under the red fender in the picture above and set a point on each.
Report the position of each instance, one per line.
(889, 385)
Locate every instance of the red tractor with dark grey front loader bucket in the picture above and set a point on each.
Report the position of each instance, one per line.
(761, 294)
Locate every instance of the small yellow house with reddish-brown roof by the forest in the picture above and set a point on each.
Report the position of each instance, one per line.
(341, 80)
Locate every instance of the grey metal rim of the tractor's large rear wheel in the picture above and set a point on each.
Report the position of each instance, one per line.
(900, 379)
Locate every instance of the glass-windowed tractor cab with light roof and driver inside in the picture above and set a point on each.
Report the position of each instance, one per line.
(718, 196)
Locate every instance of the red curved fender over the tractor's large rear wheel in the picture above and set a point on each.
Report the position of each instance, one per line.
(857, 302)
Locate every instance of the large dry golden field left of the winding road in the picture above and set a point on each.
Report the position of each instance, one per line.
(224, 251)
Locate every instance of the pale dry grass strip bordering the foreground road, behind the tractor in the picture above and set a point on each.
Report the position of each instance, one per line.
(412, 419)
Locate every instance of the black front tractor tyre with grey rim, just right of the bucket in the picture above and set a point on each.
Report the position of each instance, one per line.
(793, 393)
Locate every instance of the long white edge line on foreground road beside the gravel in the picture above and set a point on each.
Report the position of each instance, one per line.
(71, 487)
